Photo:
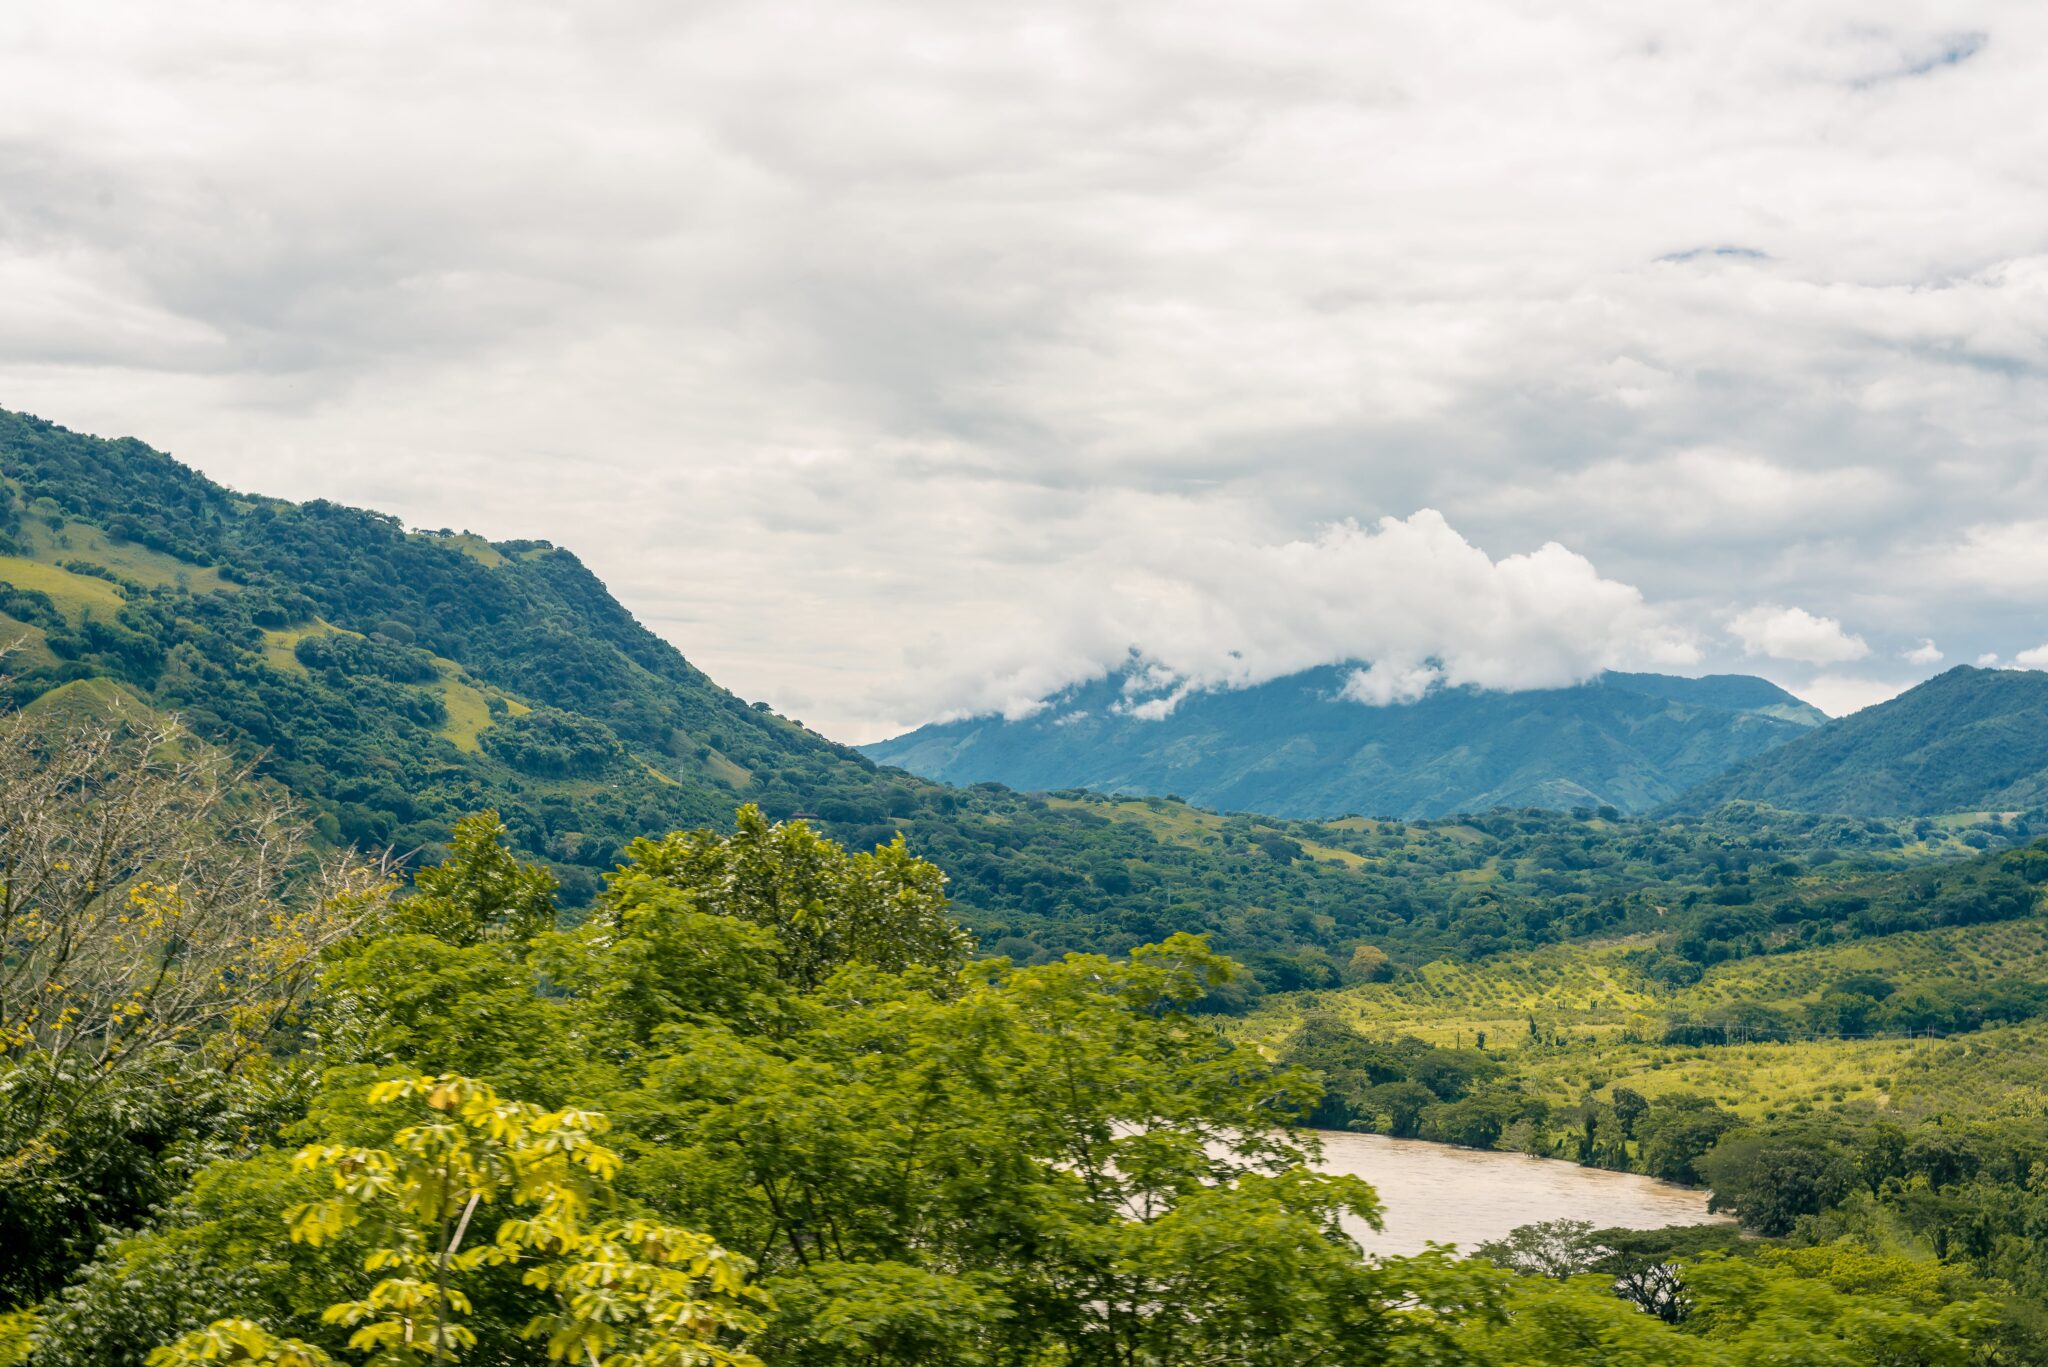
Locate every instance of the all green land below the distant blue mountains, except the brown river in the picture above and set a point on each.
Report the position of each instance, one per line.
(622, 1077)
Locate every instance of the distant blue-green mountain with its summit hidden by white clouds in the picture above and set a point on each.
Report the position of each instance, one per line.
(1295, 747)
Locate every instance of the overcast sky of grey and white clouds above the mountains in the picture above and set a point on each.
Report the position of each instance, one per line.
(902, 360)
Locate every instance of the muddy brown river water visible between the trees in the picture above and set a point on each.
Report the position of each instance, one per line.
(1463, 1196)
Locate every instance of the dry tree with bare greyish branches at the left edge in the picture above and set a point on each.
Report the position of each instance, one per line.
(155, 903)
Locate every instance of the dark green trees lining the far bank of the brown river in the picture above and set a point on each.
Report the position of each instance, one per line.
(1963, 1196)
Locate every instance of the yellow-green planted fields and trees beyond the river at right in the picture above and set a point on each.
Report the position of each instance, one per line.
(1885, 1091)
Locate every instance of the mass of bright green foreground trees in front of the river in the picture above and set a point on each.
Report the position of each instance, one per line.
(708, 1126)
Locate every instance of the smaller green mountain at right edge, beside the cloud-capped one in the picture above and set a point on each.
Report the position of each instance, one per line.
(1967, 741)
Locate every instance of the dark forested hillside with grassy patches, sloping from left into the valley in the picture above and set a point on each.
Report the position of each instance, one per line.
(398, 681)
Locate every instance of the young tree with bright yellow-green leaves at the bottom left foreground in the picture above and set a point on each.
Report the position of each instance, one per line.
(615, 1294)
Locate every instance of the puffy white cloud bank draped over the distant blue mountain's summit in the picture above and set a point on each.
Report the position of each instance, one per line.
(1410, 597)
